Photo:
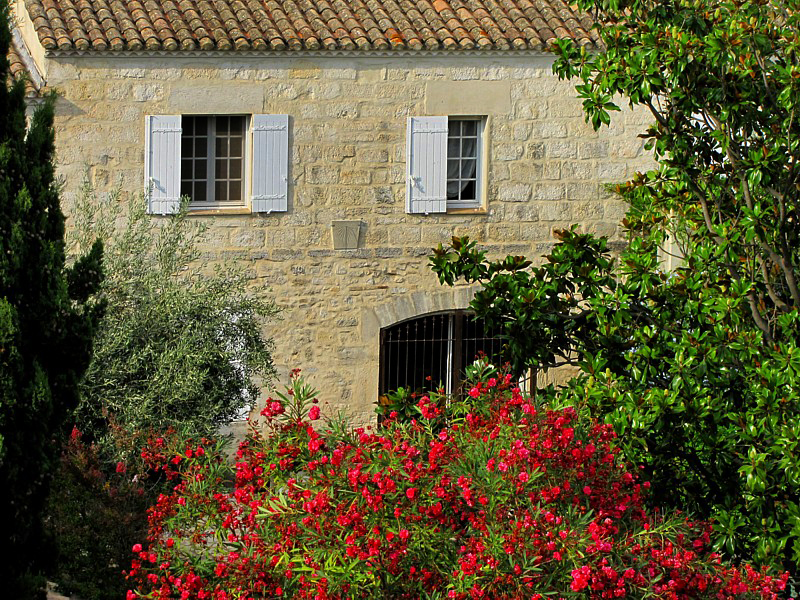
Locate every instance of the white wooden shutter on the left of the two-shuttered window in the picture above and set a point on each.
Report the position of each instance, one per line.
(162, 163)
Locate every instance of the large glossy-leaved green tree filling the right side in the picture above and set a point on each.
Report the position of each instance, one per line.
(698, 370)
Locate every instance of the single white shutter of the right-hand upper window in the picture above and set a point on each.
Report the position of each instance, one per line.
(426, 160)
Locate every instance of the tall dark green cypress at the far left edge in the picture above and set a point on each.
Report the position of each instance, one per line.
(46, 326)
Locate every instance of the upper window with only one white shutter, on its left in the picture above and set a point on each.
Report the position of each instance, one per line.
(444, 164)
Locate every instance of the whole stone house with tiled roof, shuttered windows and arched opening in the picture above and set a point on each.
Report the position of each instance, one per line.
(334, 143)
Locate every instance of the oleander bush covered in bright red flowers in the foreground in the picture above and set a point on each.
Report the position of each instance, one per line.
(492, 497)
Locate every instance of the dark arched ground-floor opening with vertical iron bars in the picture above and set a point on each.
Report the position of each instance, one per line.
(439, 346)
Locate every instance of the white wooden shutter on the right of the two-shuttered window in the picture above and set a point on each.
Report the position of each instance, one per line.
(270, 163)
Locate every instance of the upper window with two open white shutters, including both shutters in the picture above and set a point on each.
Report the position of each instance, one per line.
(218, 161)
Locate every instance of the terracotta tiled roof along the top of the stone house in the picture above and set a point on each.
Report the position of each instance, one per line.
(242, 25)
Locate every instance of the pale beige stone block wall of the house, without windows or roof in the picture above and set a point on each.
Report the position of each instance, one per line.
(348, 135)
